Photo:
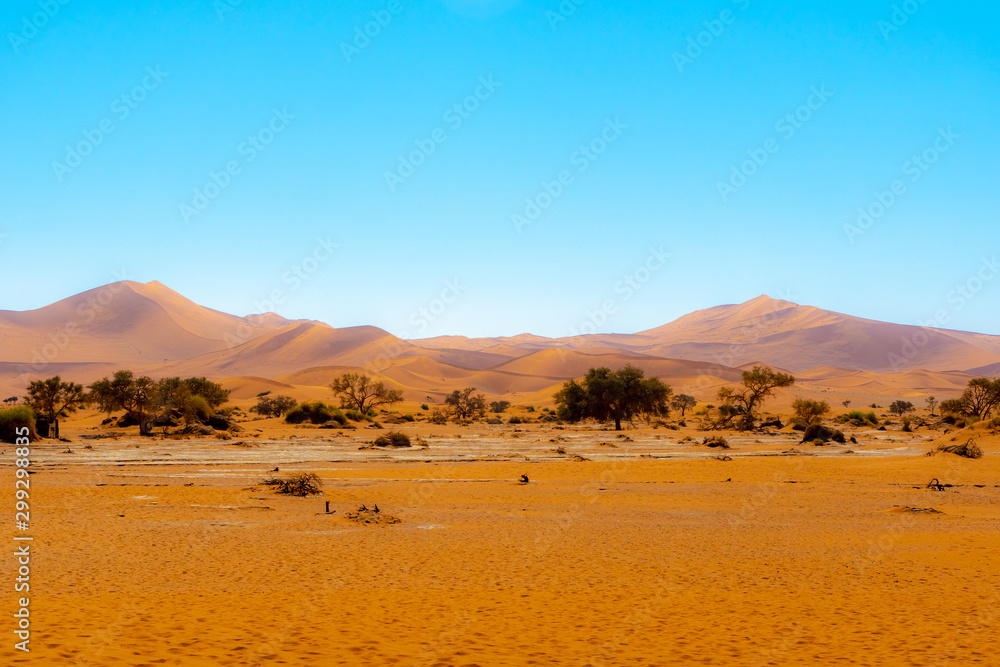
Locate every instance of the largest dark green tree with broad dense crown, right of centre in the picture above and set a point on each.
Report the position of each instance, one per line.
(607, 395)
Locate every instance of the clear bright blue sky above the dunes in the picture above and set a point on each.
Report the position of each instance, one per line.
(494, 167)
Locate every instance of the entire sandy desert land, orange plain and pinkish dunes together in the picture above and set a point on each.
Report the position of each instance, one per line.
(512, 537)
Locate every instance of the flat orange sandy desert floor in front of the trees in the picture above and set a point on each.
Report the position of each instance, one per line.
(650, 551)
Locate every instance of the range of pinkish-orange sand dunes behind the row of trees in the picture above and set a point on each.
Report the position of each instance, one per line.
(153, 330)
